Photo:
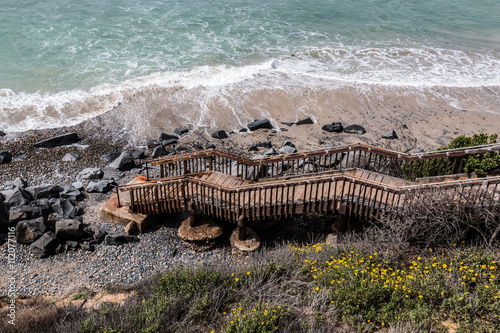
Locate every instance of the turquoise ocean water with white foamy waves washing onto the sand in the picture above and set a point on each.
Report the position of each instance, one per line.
(210, 62)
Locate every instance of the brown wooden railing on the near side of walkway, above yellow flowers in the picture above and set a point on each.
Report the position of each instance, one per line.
(275, 199)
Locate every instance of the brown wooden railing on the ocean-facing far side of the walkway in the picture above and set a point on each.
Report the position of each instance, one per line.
(384, 161)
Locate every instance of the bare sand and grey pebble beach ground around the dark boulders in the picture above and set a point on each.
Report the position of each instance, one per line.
(161, 249)
